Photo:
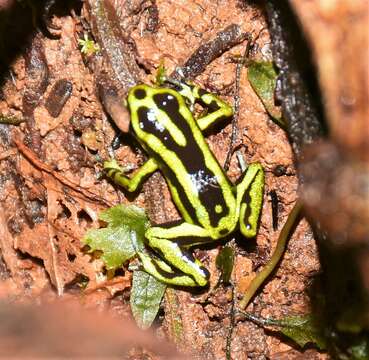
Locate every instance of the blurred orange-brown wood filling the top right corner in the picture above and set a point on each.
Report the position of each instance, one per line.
(338, 34)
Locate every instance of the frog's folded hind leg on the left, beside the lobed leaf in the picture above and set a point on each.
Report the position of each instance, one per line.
(172, 244)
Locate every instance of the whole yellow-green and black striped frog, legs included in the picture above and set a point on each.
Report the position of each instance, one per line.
(210, 205)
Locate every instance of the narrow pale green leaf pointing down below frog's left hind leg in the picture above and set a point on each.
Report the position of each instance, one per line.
(146, 295)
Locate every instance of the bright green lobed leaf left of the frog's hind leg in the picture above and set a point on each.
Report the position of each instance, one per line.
(123, 236)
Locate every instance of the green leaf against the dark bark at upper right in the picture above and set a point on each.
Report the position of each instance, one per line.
(262, 77)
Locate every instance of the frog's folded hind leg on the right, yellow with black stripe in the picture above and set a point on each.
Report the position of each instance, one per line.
(250, 199)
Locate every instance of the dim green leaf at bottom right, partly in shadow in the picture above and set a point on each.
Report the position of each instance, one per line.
(302, 330)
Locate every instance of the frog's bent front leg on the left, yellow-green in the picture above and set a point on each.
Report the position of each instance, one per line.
(115, 172)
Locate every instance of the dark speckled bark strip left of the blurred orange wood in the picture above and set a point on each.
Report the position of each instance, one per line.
(297, 89)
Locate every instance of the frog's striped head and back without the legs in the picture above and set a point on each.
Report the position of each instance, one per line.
(167, 130)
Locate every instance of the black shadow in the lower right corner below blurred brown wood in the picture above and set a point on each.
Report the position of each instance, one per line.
(338, 298)
